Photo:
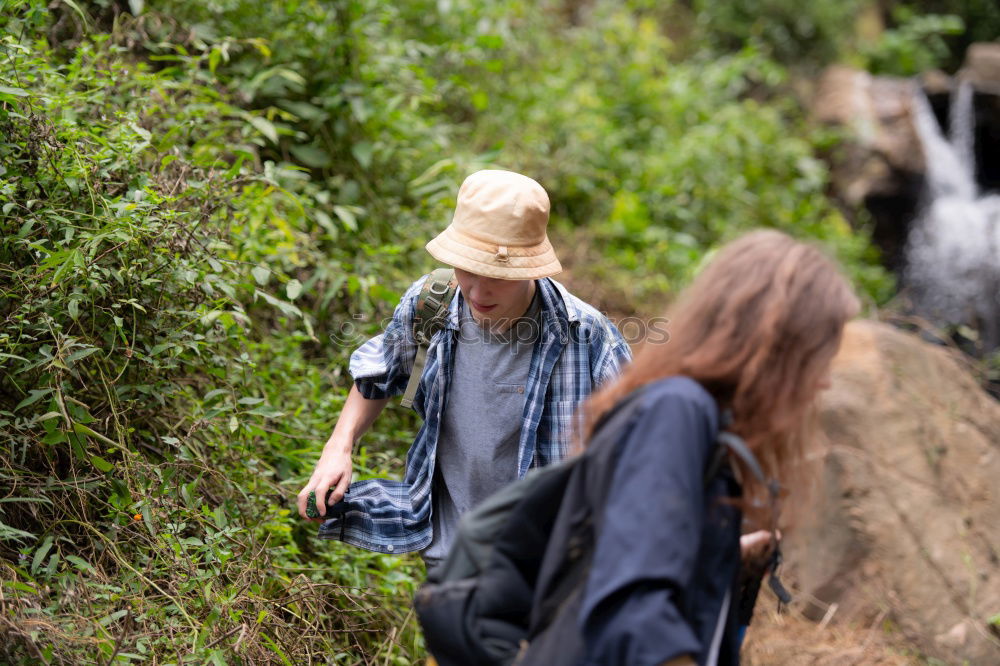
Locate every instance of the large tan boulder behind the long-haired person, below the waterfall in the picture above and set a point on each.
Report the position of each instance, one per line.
(906, 532)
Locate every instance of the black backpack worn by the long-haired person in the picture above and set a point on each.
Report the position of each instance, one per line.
(520, 559)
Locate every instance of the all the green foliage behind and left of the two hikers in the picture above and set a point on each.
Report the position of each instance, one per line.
(206, 207)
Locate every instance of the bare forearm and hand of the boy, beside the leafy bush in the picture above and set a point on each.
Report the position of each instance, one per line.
(333, 471)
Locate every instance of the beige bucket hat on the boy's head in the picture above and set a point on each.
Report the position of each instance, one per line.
(499, 228)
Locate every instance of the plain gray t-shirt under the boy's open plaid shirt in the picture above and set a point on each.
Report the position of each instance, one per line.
(481, 424)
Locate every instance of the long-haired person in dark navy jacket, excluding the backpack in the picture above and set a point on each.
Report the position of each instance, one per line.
(751, 343)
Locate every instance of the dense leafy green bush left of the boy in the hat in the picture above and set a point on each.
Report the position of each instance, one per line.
(153, 270)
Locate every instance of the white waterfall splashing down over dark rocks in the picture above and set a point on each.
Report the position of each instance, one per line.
(953, 252)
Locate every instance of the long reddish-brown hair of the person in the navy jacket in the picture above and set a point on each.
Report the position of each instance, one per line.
(757, 329)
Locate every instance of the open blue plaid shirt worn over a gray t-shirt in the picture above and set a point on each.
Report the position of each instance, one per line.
(577, 350)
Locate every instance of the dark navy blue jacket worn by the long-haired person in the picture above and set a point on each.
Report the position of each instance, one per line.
(668, 551)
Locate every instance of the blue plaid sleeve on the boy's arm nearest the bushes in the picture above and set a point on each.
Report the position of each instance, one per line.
(381, 366)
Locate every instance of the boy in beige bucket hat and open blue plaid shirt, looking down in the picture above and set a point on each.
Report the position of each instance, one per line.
(516, 355)
